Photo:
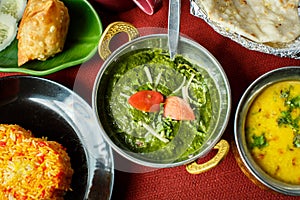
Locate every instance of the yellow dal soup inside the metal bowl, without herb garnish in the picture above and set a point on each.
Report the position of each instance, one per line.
(279, 158)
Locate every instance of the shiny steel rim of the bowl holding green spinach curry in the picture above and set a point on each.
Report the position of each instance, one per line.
(120, 151)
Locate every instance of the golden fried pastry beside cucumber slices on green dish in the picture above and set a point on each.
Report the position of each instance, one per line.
(43, 30)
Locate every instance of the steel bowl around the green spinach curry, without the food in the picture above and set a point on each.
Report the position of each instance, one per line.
(210, 68)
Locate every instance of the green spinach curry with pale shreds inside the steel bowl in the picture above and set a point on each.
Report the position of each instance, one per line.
(152, 134)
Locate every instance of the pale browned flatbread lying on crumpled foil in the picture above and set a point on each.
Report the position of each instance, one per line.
(263, 21)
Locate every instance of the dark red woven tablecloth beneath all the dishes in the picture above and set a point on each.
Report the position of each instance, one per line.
(242, 66)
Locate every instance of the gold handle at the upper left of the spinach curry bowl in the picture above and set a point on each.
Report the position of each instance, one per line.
(112, 30)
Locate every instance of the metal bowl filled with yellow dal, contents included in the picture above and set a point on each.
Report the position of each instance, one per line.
(267, 131)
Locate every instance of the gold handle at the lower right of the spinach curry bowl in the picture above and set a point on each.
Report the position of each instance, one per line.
(223, 149)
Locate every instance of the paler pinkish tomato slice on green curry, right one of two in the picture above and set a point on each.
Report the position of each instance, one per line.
(178, 109)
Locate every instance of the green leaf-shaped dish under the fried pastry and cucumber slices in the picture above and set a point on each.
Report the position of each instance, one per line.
(81, 44)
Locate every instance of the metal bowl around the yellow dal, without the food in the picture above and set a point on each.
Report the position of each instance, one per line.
(248, 164)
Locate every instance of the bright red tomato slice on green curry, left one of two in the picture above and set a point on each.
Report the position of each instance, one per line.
(146, 100)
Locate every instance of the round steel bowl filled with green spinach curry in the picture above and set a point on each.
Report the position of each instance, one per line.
(140, 64)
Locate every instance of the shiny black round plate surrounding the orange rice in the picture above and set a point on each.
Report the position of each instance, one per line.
(51, 110)
